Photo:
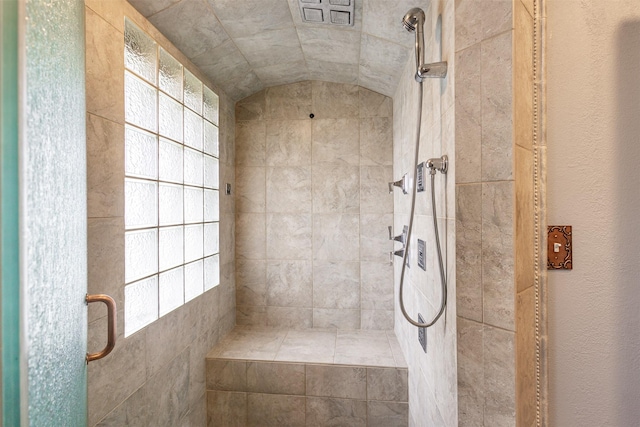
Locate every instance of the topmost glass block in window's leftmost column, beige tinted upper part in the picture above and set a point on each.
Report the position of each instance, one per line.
(140, 52)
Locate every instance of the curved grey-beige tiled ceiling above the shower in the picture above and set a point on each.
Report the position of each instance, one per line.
(244, 46)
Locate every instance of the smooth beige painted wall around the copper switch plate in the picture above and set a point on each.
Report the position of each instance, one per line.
(593, 131)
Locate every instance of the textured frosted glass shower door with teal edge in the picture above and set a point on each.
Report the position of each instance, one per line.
(49, 221)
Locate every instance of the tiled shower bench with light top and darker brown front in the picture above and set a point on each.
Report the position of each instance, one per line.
(278, 377)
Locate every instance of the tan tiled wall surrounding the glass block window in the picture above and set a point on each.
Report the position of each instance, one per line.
(157, 375)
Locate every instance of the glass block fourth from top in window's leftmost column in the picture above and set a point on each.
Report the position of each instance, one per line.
(140, 203)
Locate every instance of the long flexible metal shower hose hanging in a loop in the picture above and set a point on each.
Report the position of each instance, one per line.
(443, 279)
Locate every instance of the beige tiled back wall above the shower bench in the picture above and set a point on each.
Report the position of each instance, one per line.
(313, 207)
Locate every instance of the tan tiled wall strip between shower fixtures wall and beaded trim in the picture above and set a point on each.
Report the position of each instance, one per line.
(495, 212)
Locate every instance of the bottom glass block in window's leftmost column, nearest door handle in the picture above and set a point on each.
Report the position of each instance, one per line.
(140, 304)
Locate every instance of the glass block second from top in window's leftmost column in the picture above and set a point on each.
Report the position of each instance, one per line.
(140, 103)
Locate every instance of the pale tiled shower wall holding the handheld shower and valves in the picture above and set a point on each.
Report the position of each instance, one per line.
(432, 376)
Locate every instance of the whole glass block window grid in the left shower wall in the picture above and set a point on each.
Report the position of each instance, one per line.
(172, 251)
